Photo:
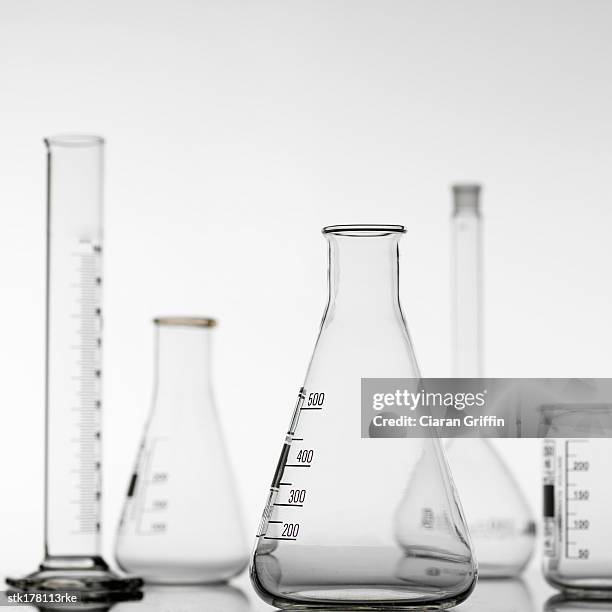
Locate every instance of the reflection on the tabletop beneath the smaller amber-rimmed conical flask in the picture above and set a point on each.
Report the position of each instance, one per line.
(175, 598)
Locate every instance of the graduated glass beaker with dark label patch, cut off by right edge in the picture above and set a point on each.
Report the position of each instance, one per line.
(577, 500)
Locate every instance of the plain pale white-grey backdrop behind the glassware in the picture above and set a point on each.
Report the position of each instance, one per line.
(235, 131)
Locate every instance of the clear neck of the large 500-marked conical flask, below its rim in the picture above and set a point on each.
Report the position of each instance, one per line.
(363, 277)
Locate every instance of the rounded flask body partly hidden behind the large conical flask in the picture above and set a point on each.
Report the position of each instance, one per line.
(498, 515)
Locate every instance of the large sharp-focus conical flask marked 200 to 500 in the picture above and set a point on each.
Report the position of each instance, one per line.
(337, 530)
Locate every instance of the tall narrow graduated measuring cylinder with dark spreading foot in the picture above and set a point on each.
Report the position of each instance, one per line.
(72, 558)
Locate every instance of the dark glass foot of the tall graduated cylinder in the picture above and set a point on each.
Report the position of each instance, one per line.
(90, 577)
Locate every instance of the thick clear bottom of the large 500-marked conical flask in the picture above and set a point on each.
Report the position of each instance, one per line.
(363, 579)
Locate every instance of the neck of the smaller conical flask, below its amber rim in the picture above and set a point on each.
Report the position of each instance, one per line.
(183, 361)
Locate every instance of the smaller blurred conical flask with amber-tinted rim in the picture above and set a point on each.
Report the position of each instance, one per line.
(181, 521)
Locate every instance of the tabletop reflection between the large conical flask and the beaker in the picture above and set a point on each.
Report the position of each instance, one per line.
(501, 595)
